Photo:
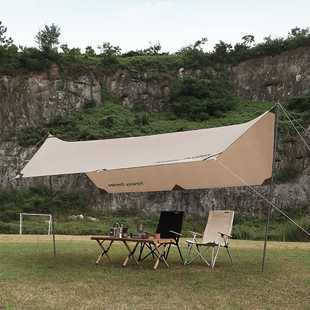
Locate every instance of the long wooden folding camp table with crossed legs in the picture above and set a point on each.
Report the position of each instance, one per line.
(158, 247)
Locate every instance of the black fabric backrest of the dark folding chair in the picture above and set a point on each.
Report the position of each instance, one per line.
(170, 220)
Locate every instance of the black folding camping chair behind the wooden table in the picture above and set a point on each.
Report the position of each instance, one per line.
(169, 227)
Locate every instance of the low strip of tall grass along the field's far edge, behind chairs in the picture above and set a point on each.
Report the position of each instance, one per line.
(251, 229)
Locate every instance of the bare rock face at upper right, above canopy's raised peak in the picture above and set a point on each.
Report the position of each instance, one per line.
(273, 78)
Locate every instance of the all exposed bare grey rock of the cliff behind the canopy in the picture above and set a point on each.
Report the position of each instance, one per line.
(29, 100)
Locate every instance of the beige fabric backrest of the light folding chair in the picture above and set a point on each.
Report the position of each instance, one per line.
(218, 221)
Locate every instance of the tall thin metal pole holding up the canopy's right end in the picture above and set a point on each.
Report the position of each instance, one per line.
(275, 148)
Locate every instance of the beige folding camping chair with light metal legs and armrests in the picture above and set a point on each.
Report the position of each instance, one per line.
(216, 235)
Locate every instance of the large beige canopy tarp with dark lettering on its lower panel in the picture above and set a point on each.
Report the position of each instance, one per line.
(189, 160)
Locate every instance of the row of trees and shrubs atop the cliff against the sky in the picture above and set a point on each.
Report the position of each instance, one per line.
(14, 58)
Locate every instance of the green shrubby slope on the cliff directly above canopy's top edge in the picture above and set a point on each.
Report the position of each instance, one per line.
(111, 120)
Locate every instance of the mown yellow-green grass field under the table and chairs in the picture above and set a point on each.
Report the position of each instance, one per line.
(31, 278)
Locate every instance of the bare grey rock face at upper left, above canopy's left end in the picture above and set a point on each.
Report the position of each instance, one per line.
(29, 100)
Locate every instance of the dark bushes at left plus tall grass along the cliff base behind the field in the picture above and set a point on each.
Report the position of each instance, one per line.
(63, 204)
